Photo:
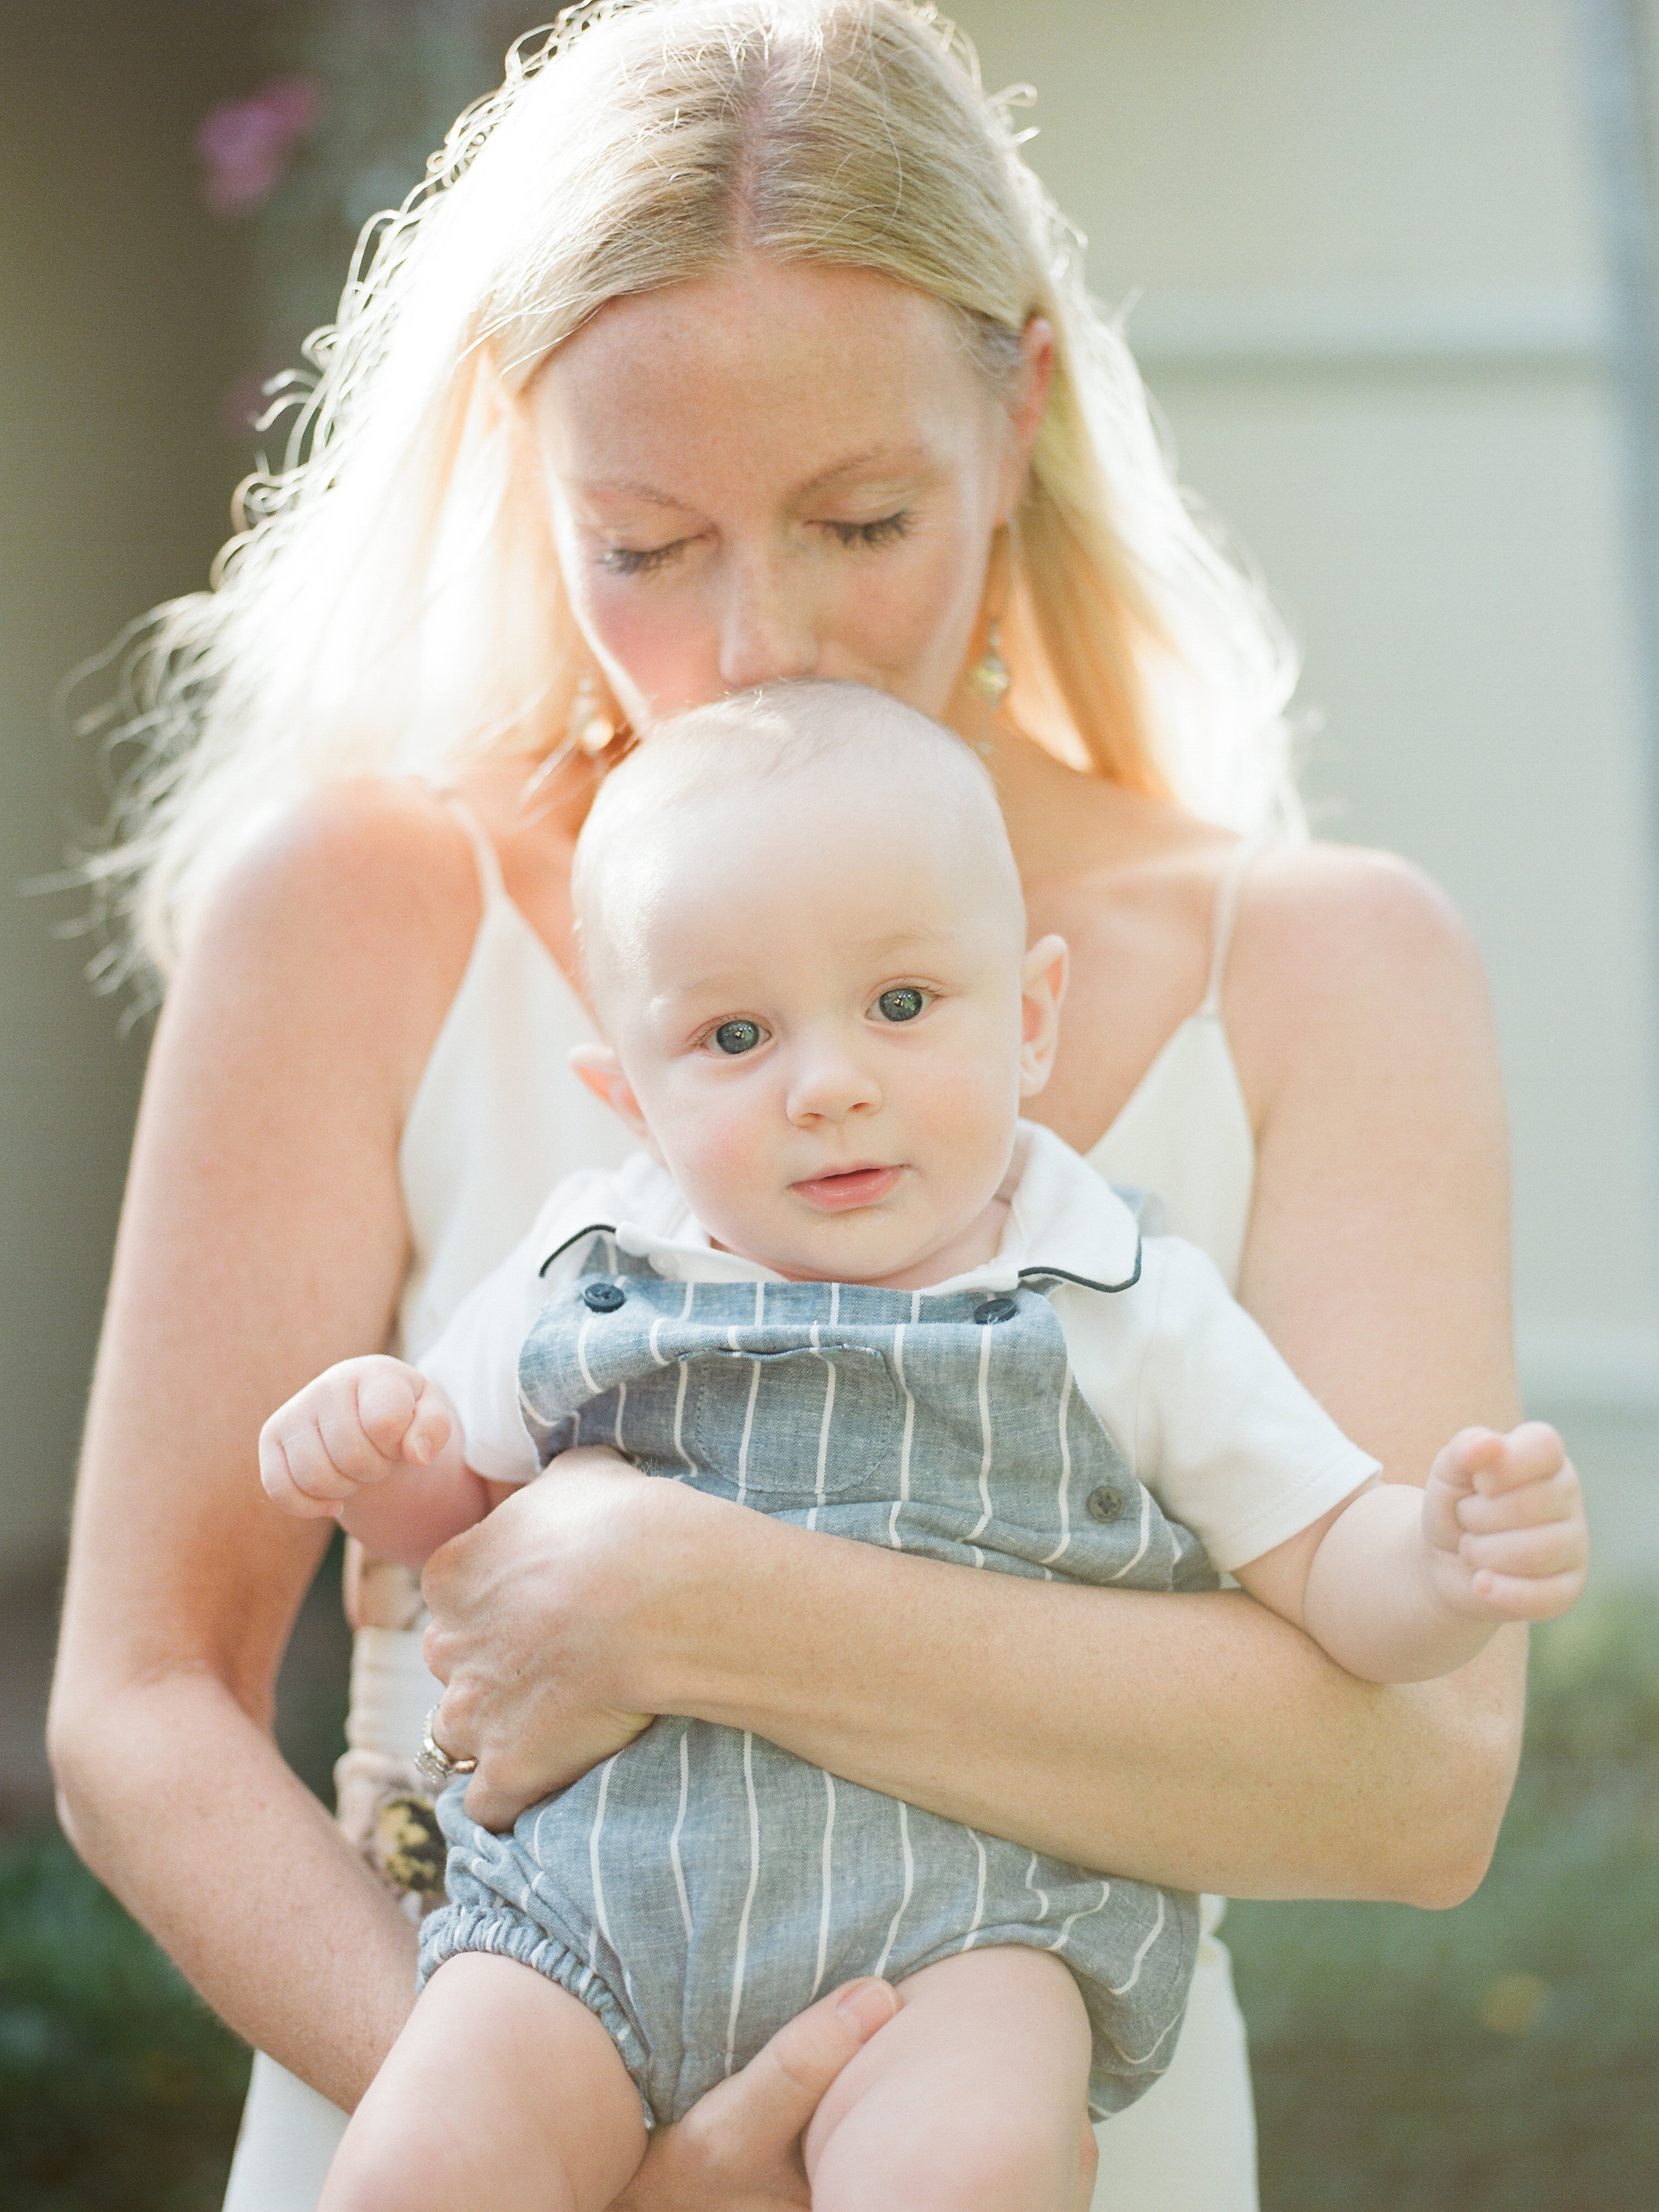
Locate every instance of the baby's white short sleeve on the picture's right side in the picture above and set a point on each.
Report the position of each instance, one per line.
(1227, 1439)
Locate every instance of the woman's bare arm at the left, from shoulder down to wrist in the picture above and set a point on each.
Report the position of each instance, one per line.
(262, 1240)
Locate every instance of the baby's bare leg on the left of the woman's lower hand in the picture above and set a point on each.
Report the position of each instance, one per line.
(501, 2096)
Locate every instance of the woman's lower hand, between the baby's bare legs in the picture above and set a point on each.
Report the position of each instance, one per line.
(740, 2147)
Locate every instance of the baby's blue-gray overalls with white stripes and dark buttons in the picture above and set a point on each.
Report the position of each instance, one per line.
(705, 1886)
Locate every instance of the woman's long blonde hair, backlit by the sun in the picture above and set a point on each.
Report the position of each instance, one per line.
(395, 601)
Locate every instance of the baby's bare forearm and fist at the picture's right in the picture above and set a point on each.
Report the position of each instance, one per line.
(1399, 1585)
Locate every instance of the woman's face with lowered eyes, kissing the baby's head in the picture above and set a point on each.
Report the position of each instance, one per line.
(780, 472)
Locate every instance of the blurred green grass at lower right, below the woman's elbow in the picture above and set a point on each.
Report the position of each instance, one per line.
(1499, 2058)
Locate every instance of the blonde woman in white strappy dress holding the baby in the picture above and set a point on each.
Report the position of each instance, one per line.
(738, 346)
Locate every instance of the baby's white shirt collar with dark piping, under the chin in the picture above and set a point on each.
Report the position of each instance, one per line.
(1063, 1220)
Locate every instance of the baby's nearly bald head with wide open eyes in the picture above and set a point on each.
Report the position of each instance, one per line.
(806, 943)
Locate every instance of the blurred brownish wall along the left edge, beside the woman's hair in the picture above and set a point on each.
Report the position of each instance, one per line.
(123, 326)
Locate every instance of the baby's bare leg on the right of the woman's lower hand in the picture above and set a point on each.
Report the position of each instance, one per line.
(974, 2098)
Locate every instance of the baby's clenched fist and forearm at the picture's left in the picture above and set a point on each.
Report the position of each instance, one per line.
(333, 1448)
